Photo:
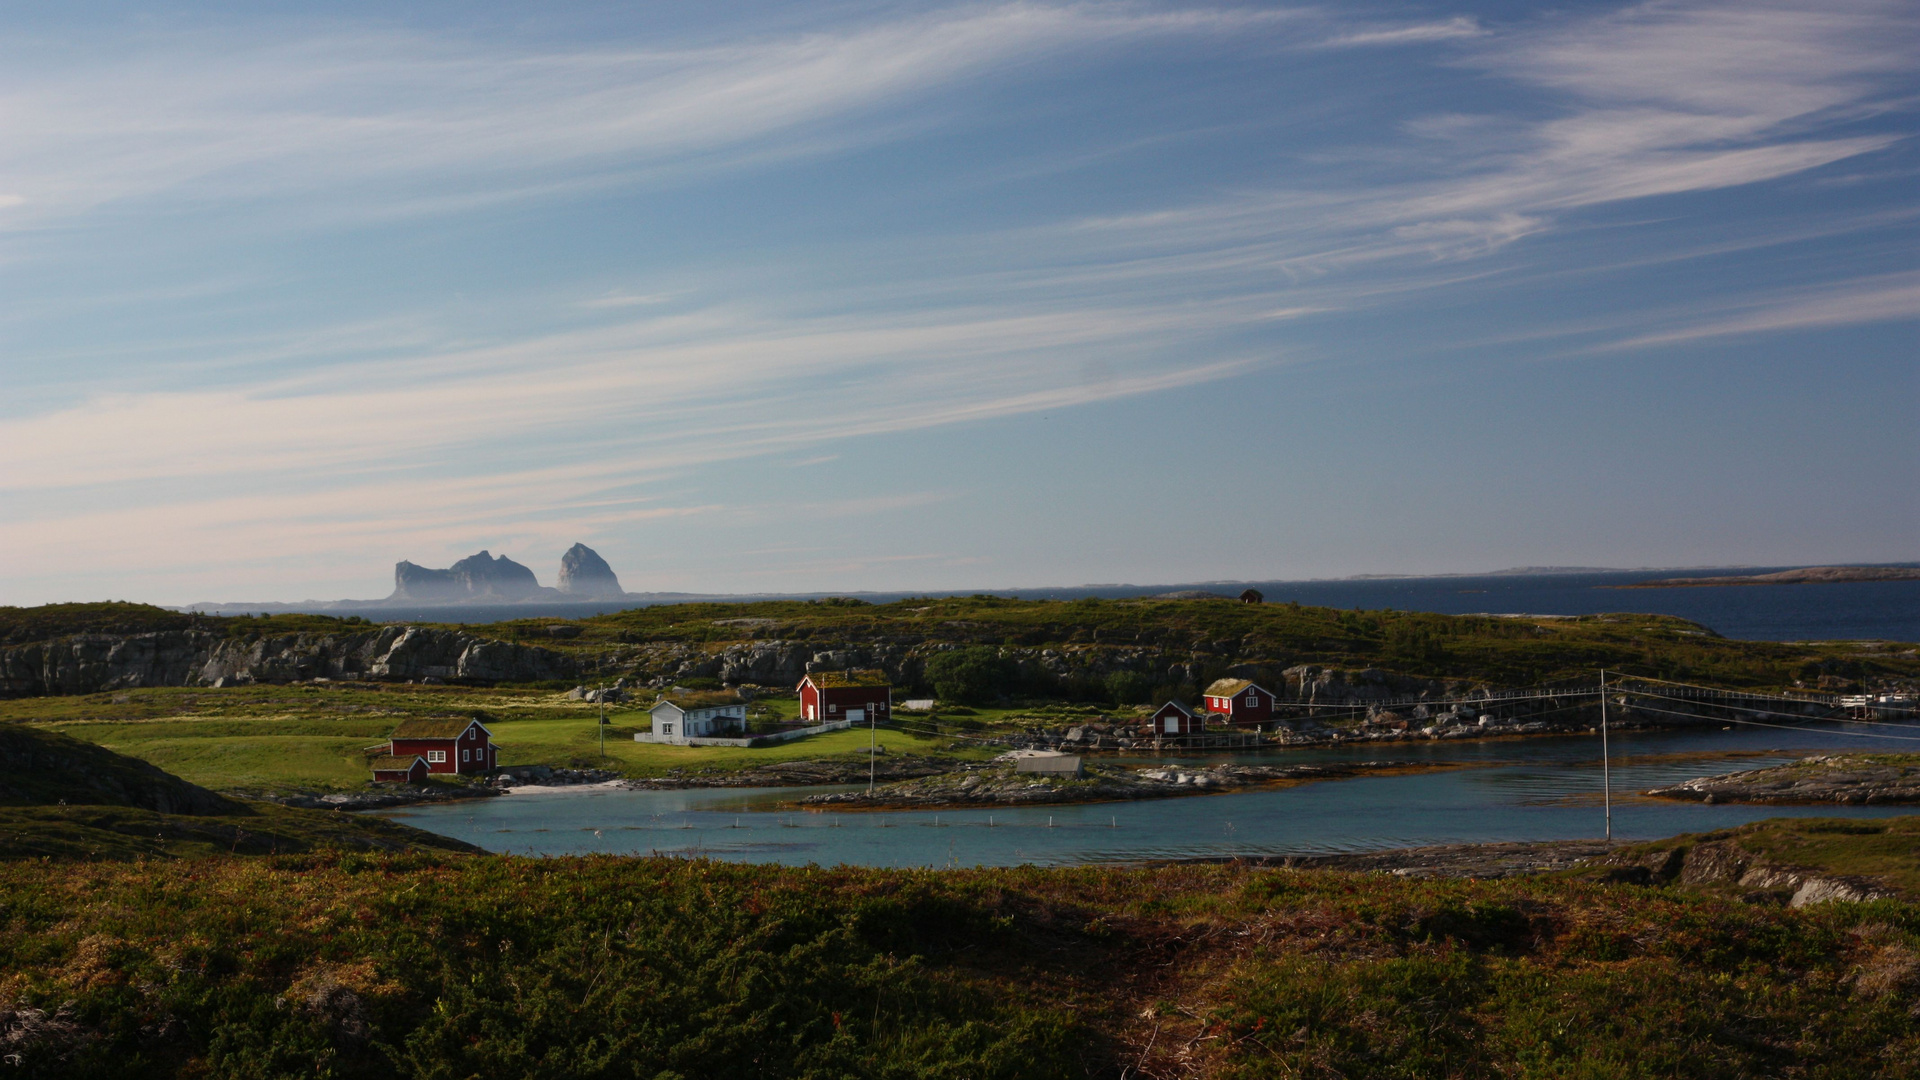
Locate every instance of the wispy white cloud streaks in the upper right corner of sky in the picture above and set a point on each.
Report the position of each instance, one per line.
(1652, 101)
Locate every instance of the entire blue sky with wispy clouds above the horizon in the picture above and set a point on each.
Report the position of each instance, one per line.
(949, 297)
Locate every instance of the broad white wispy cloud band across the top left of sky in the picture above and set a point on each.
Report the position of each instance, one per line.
(439, 124)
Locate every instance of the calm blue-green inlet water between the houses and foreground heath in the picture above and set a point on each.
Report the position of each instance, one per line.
(1547, 789)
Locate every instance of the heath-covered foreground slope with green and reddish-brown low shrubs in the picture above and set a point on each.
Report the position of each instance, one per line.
(352, 966)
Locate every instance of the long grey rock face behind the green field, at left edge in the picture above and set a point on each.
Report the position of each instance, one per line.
(87, 664)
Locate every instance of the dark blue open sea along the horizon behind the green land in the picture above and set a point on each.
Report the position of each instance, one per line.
(1767, 614)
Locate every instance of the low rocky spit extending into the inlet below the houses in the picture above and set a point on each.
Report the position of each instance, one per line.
(999, 785)
